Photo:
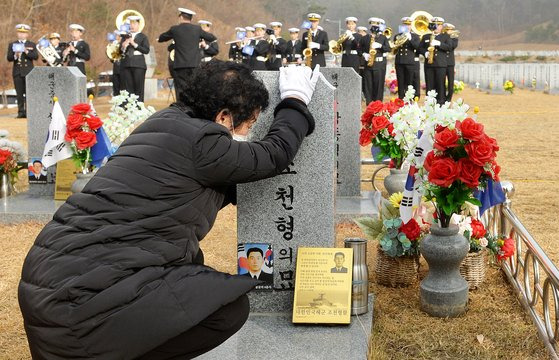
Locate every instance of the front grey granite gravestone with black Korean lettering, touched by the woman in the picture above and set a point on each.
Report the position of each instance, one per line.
(295, 208)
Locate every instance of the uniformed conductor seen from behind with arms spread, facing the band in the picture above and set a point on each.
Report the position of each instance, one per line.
(187, 44)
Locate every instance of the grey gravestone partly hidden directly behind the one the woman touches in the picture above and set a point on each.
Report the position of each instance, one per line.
(348, 114)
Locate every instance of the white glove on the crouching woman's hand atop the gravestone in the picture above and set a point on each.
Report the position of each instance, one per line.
(298, 82)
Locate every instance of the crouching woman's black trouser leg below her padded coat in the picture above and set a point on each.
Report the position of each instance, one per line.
(208, 334)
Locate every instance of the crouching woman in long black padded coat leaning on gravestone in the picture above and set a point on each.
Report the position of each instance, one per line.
(118, 272)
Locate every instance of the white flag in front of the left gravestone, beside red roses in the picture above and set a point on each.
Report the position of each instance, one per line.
(56, 148)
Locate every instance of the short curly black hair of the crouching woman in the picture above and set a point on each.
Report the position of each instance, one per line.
(219, 85)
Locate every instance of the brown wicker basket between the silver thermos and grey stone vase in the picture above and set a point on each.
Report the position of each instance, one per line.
(395, 272)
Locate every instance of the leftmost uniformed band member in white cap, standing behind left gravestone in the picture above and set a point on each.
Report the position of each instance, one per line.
(21, 52)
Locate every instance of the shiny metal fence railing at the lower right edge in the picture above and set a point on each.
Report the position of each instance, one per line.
(531, 273)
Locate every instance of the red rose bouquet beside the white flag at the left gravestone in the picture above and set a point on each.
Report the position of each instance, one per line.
(81, 126)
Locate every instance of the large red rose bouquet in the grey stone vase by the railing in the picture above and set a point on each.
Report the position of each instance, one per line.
(463, 159)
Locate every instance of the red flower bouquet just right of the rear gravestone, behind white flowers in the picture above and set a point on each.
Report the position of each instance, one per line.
(378, 129)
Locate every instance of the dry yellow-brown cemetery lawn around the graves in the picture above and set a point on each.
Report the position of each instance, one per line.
(494, 326)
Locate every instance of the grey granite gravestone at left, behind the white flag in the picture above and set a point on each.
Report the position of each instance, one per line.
(44, 83)
